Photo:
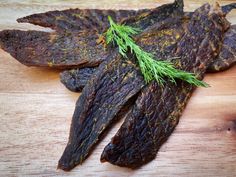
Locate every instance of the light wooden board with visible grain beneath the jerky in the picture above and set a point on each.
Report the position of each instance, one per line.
(36, 111)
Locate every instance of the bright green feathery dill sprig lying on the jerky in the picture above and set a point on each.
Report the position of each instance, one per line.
(151, 69)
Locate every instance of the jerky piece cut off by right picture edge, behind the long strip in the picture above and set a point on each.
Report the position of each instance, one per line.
(227, 56)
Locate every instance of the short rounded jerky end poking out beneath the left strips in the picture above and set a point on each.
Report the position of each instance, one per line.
(76, 79)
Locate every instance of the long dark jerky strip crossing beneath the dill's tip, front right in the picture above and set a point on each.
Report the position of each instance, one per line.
(158, 109)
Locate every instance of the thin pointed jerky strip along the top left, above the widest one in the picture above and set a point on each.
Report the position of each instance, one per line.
(74, 20)
